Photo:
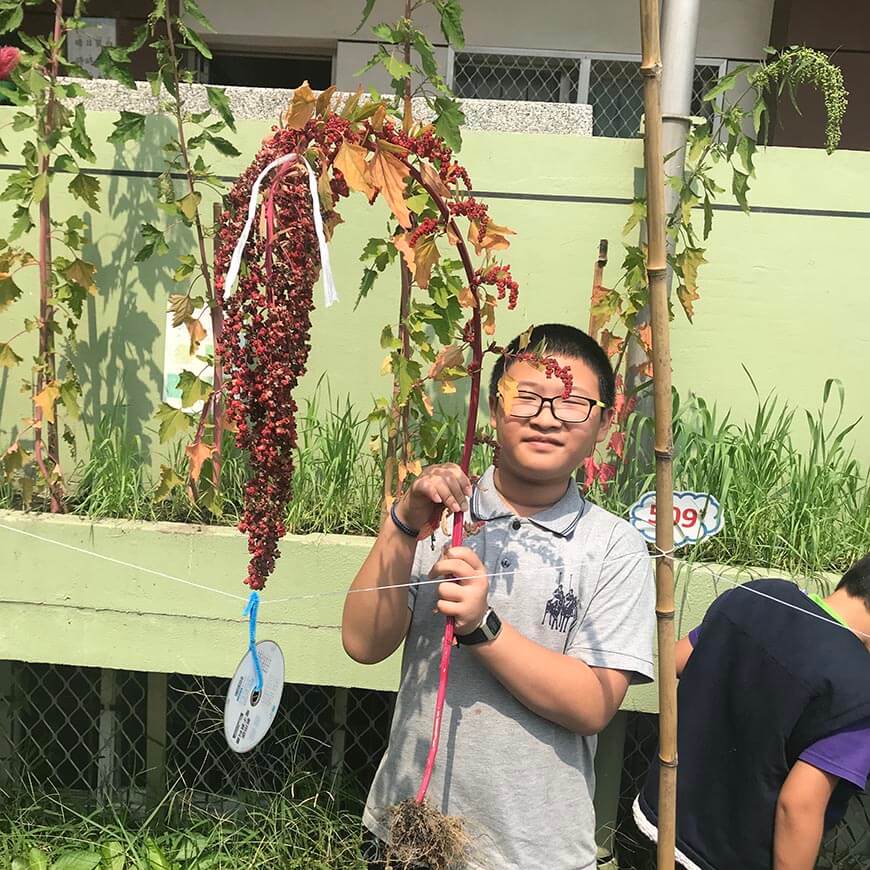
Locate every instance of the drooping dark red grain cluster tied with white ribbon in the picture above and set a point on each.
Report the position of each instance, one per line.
(265, 339)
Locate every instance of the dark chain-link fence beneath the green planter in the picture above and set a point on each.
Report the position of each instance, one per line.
(124, 737)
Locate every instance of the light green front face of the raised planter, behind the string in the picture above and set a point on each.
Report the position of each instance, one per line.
(62, 605)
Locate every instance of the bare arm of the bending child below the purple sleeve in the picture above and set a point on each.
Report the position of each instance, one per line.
(800, 817)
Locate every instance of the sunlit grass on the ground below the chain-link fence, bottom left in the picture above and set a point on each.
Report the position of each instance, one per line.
(289, 831)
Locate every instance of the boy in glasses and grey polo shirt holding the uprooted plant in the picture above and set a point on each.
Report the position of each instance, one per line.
(553, 603)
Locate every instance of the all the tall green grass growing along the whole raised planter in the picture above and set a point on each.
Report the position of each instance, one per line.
(803, 509)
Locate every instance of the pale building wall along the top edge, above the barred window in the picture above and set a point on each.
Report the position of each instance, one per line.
(729, 28)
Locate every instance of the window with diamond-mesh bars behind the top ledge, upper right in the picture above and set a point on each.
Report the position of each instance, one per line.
(611, 85)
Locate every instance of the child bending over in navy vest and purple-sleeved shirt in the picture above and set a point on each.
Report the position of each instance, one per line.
(774, 713)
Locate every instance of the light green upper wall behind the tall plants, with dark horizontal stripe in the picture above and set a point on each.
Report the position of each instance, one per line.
(784, 293)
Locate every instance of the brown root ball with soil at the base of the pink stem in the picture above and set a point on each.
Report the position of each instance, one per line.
(422, 837)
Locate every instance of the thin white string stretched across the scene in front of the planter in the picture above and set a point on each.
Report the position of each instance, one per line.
(333, 593)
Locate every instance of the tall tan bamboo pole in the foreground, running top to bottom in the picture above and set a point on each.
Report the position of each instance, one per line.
(650, 69)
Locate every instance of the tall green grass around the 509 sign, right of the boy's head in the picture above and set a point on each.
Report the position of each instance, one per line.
(802, 510)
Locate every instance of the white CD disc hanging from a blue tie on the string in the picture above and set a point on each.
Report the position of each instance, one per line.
(248, 714)
